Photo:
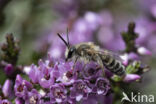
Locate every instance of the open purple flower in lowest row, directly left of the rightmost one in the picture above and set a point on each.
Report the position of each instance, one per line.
(80, 90)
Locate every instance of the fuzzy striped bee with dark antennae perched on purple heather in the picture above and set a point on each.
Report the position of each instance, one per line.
(88, 51)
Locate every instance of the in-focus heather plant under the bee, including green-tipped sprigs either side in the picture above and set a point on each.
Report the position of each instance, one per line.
(54, 81)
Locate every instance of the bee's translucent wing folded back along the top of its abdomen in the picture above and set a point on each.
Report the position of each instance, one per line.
(110, 53)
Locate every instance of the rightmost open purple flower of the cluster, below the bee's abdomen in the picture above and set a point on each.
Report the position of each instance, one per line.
(102, 86)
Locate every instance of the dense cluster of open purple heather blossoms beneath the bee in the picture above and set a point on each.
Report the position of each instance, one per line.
(61, 83)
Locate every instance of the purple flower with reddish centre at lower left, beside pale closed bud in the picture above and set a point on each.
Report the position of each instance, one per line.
(22, 87)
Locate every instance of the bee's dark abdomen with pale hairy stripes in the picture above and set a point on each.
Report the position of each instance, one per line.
(113, 65)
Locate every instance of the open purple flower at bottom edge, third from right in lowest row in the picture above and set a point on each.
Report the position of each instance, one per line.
(58, 93)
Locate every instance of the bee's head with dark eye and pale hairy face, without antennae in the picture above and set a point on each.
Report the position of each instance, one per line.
(70, 52)
